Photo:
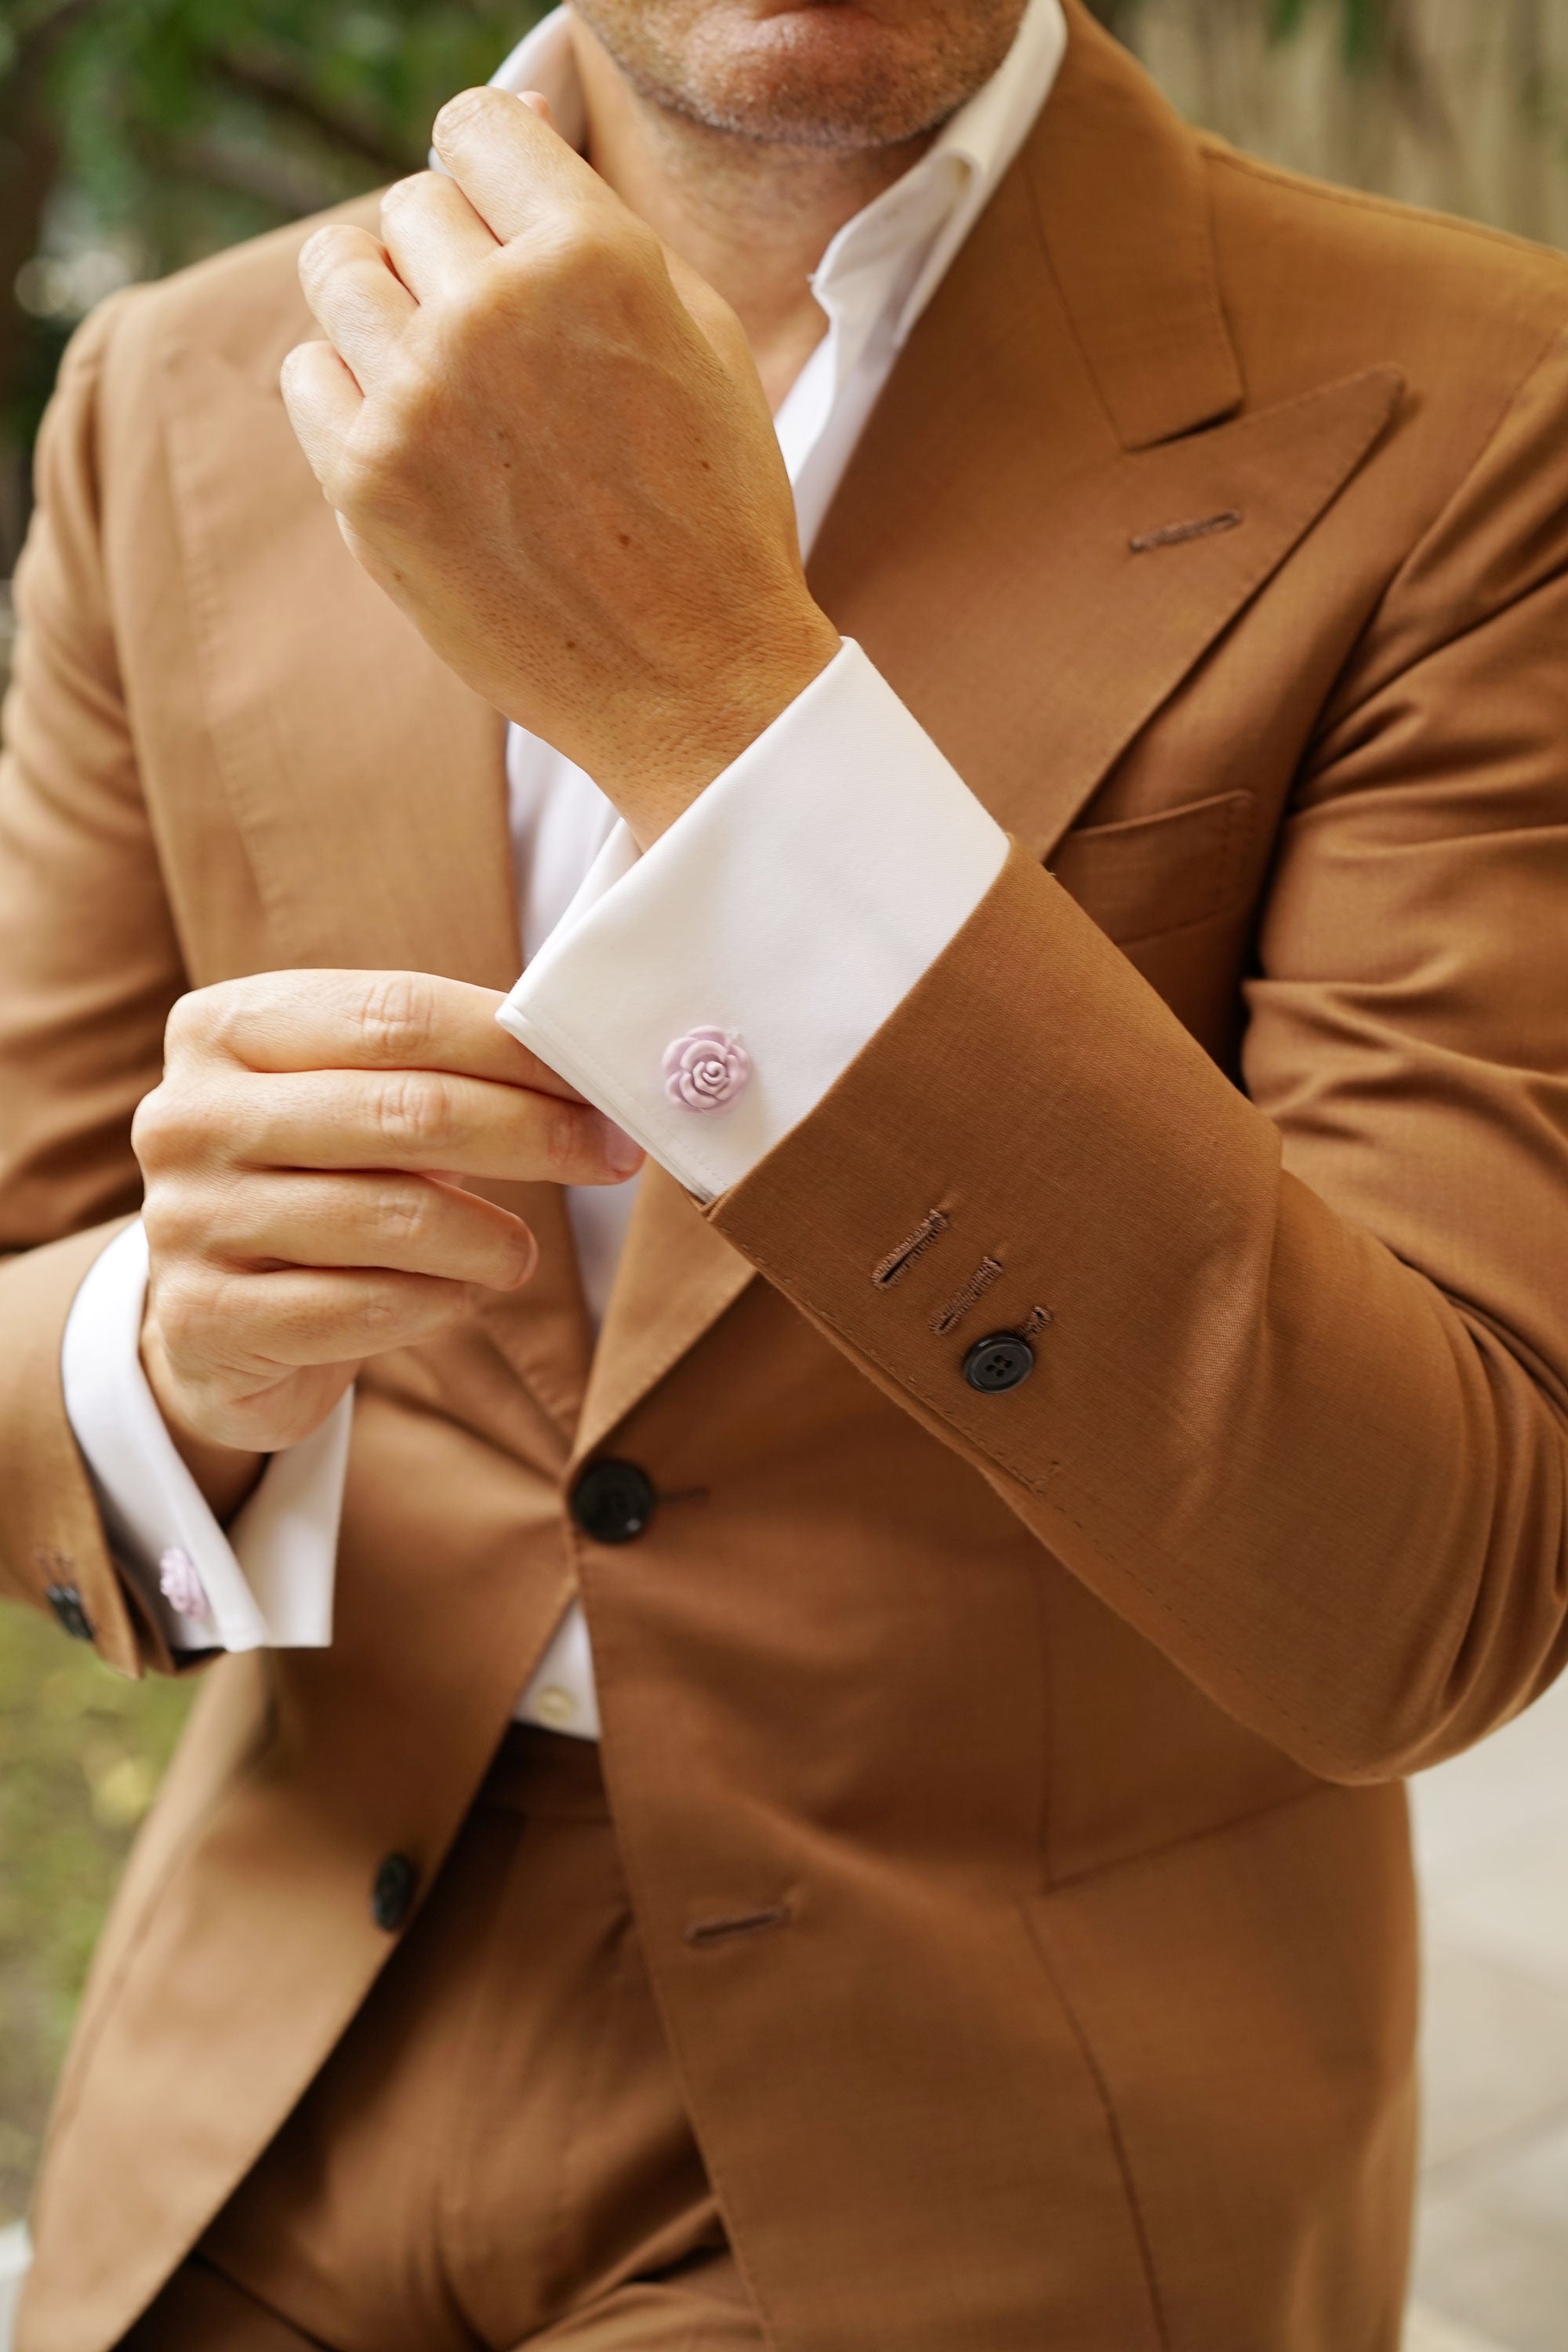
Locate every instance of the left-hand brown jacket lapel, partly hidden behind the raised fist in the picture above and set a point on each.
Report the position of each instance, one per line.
(366, 780)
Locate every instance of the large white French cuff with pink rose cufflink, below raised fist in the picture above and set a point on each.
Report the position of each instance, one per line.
(706, 996)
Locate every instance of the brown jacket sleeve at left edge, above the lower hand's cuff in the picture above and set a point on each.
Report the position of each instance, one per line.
(88, 973)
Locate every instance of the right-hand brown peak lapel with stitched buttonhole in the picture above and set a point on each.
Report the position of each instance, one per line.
(1047, 523)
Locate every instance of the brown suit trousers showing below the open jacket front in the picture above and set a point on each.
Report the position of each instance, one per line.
(497, 2153)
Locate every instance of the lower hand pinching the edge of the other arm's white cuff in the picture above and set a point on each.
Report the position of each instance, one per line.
(304, 1170)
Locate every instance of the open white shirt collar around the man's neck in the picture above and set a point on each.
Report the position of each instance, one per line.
(918, 222)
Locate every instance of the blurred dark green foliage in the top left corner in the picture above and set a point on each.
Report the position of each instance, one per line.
(140, 135)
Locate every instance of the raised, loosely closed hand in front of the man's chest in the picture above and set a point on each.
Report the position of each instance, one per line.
(549, 443)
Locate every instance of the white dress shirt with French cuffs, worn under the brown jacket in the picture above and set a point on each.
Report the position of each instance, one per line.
(840, 827)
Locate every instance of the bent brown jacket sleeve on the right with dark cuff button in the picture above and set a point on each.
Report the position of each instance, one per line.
(1301, 1410)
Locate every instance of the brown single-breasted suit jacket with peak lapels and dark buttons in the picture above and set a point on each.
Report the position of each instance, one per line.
(1214, 526)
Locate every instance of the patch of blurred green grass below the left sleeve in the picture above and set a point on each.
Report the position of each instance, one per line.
(81, 1753)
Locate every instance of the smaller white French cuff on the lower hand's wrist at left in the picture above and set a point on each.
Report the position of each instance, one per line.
(269, 1582)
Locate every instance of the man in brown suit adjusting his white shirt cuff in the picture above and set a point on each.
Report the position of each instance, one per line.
(1036, 1499)
